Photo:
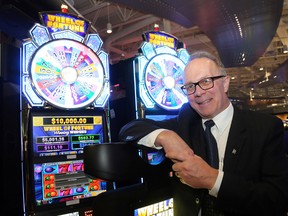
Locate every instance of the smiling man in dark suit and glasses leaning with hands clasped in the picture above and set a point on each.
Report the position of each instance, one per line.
(251, 177)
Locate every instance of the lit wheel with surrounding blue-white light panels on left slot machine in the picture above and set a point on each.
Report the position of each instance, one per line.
(64, 69)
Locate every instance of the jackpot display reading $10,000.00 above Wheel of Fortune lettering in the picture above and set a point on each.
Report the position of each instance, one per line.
(65, 135)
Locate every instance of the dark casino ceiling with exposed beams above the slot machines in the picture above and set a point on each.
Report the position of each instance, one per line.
(250, 36)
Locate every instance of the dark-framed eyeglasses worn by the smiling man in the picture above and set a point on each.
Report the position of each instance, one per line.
(204, 84)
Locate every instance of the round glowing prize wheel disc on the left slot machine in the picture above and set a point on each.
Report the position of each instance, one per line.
(67, 73)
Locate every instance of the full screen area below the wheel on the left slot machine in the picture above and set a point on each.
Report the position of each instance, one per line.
(56, 144)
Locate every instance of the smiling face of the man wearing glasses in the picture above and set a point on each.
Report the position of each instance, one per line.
(208, 103)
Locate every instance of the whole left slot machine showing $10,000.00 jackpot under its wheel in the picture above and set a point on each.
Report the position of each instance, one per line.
(65, 83)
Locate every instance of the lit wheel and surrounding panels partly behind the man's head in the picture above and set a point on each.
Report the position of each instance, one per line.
(161, 77)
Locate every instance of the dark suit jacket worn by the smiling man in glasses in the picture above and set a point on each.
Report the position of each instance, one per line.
(255, 165)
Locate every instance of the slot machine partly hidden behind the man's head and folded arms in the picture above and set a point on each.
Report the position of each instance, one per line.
(158, 72)
